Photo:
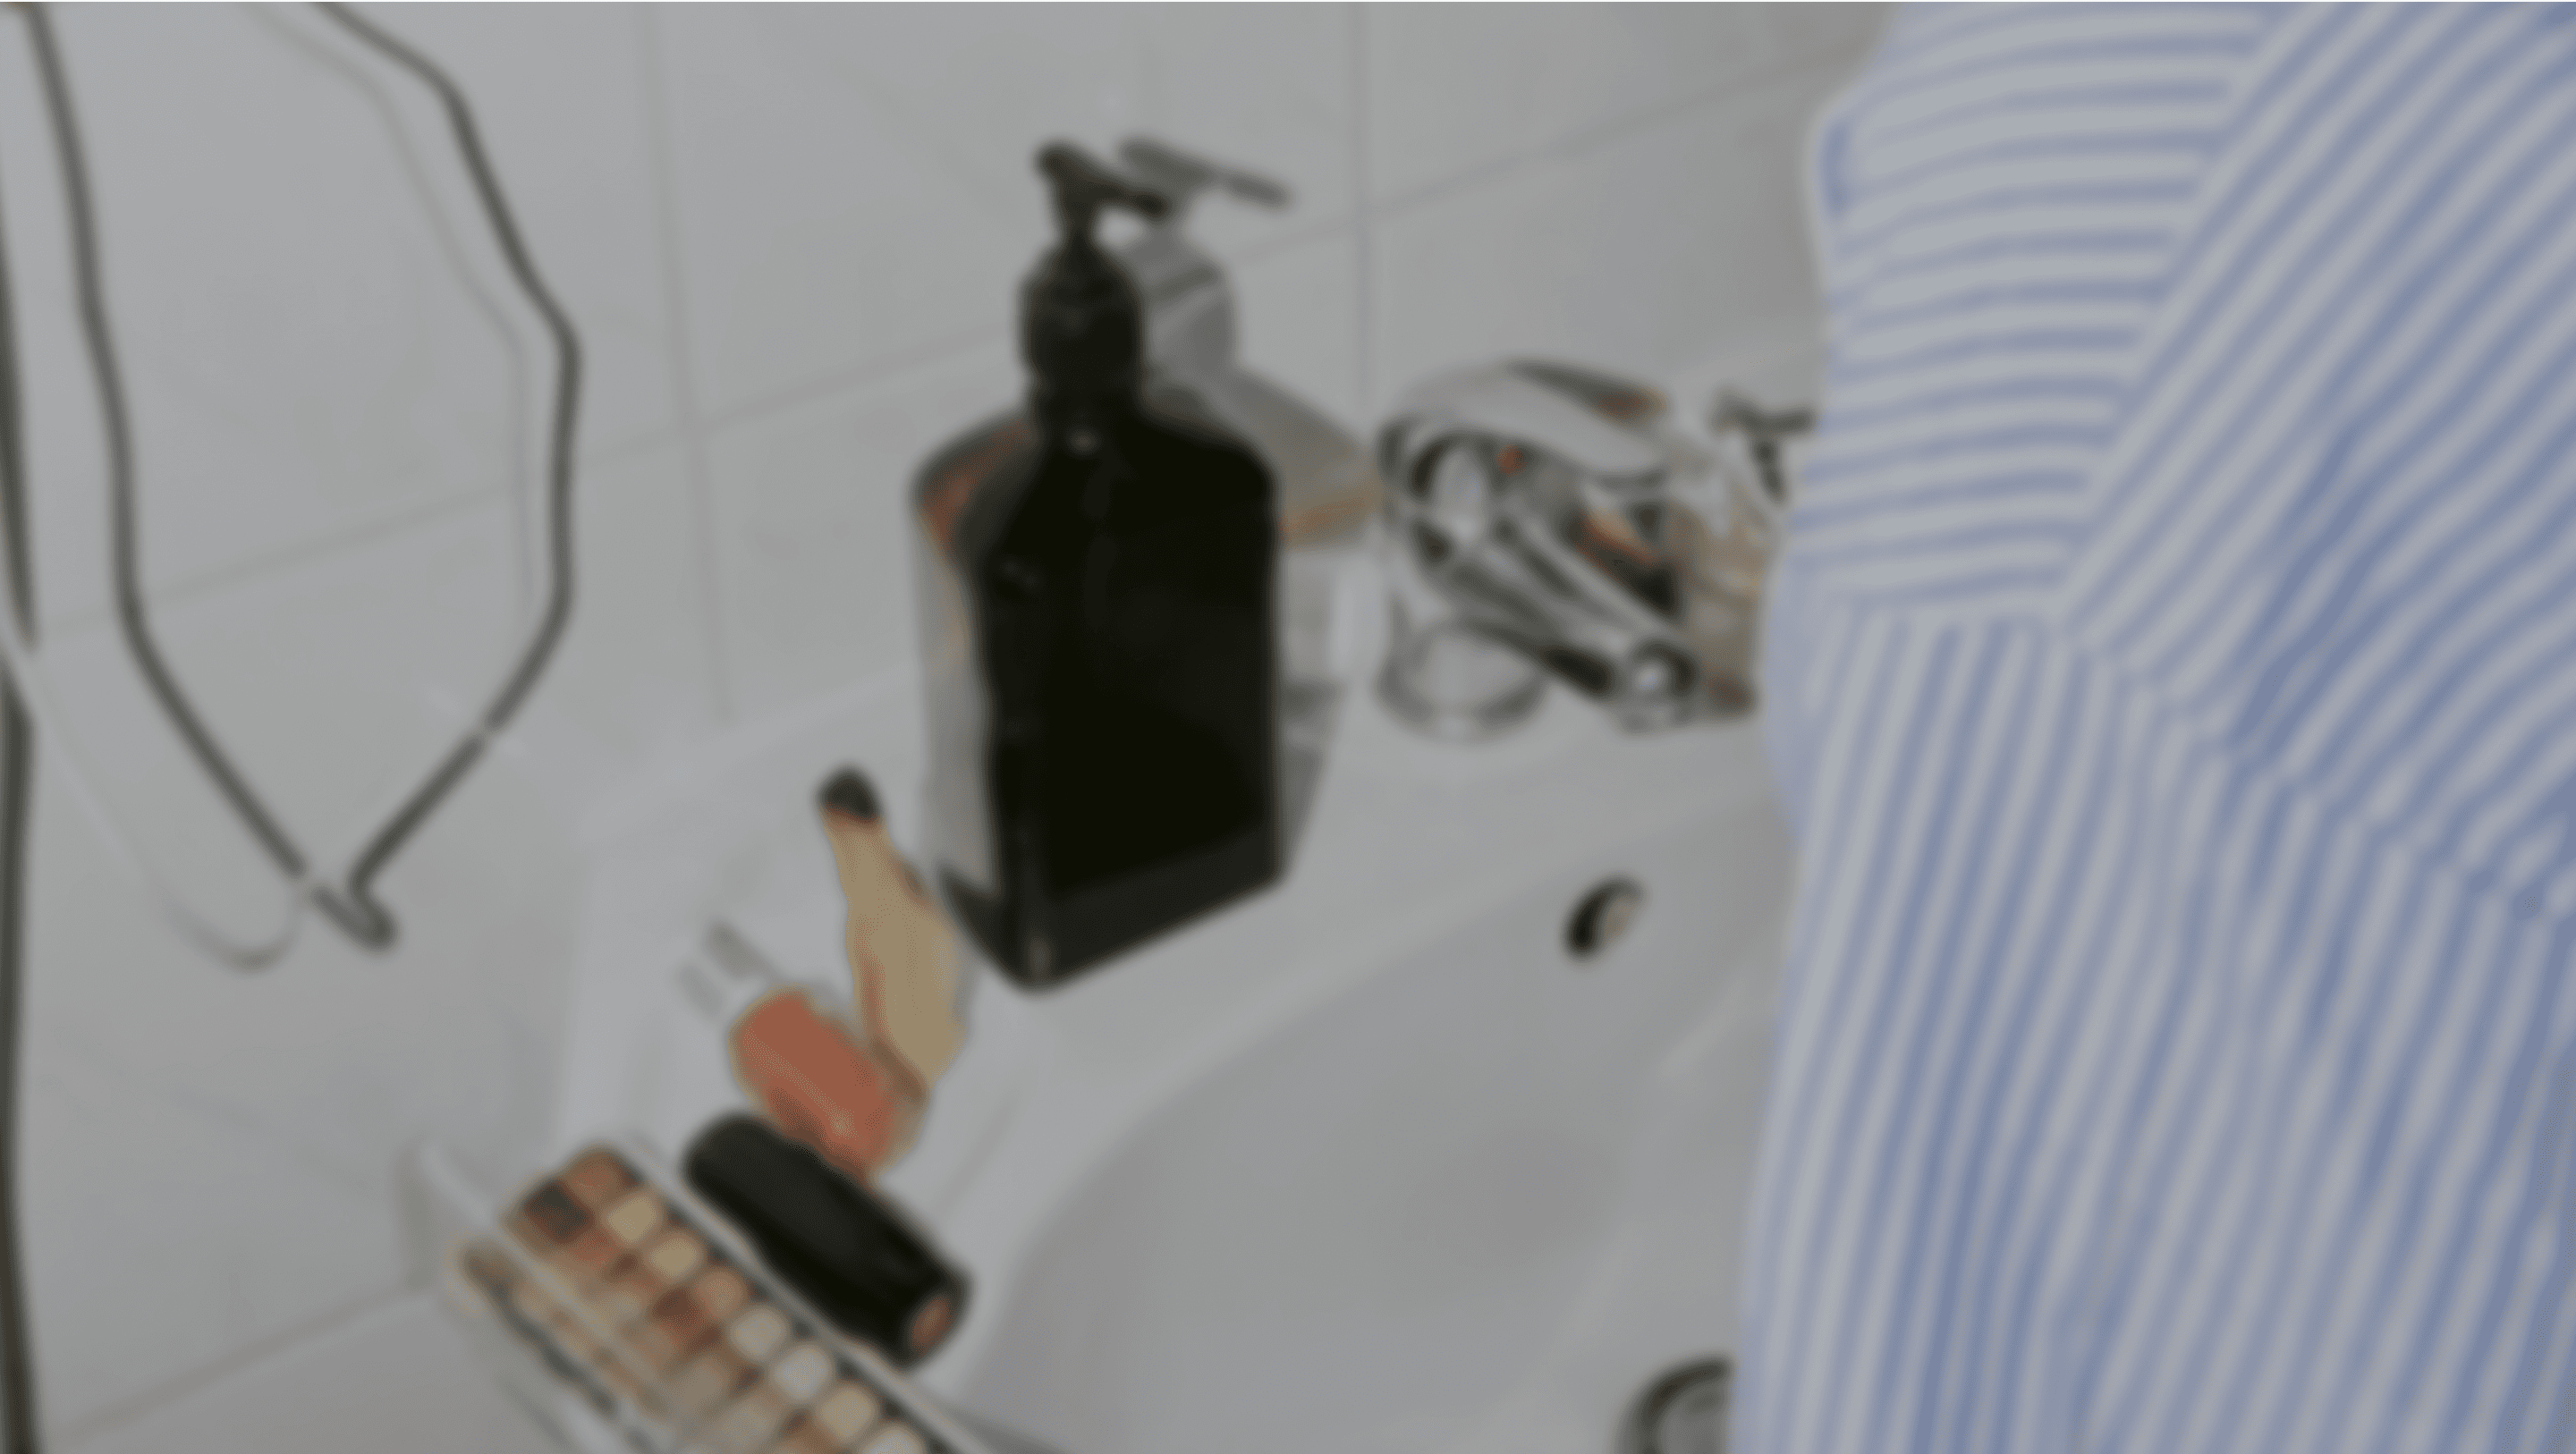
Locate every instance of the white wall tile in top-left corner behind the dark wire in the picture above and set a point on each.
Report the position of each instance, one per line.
(303, 354)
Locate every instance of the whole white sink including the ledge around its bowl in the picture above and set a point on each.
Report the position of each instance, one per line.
(1367, 1162)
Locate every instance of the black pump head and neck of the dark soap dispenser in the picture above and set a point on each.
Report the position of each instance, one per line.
(1081, 320)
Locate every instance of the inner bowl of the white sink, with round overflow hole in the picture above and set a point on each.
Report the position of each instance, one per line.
(1467, 1201)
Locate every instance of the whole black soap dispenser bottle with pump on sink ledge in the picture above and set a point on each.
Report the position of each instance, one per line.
(1099, 598)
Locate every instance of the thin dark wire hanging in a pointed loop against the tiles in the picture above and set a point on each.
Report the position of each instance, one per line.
(352, 902)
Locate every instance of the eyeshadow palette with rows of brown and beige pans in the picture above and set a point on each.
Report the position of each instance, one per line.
(645, 1319)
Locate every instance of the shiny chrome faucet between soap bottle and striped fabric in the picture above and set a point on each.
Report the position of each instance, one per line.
(1549, 521)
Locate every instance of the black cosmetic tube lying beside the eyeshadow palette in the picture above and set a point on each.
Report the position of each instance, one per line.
(838, 1244)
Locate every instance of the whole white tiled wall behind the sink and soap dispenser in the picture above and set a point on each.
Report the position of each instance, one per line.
(790, 238)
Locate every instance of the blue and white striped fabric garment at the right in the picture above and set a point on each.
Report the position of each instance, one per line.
(2173, 683)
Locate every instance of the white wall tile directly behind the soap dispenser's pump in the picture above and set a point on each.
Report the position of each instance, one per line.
(872, 194)
